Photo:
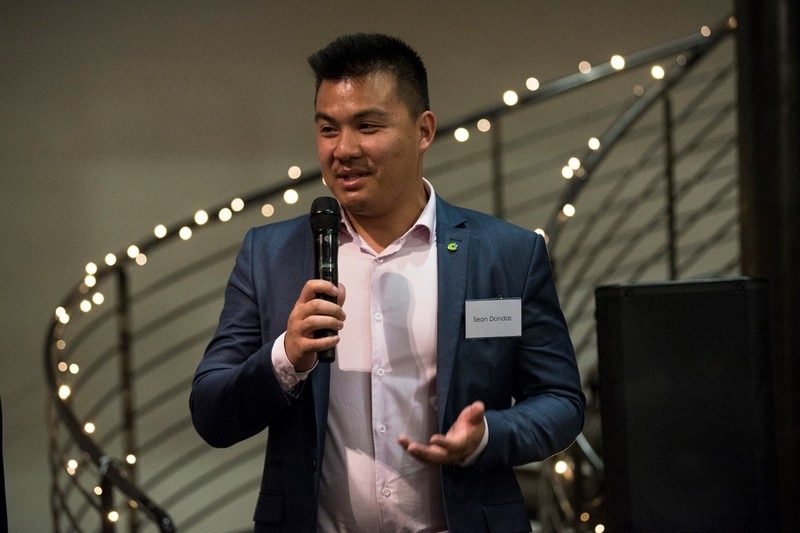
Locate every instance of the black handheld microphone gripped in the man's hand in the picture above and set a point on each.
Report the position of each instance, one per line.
(325, 219)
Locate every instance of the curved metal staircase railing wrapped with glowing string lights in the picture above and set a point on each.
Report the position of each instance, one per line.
(656, 198)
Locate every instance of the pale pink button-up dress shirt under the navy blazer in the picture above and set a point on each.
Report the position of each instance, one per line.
(383, 384)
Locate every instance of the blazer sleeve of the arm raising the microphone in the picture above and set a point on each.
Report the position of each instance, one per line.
(235, 392)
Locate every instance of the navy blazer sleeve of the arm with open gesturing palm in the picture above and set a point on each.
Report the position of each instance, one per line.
(547, 412)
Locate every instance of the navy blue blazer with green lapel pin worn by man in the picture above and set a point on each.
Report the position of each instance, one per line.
(529, 384)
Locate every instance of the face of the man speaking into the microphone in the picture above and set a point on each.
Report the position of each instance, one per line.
(369, 146)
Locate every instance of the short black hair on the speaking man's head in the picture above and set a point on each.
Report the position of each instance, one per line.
(359, 54)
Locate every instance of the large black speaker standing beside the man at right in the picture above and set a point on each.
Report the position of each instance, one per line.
(686, 406)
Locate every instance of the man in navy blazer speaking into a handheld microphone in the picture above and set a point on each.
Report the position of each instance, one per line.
(453, 360)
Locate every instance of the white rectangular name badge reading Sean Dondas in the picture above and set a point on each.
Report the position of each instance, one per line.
(494, 318)
